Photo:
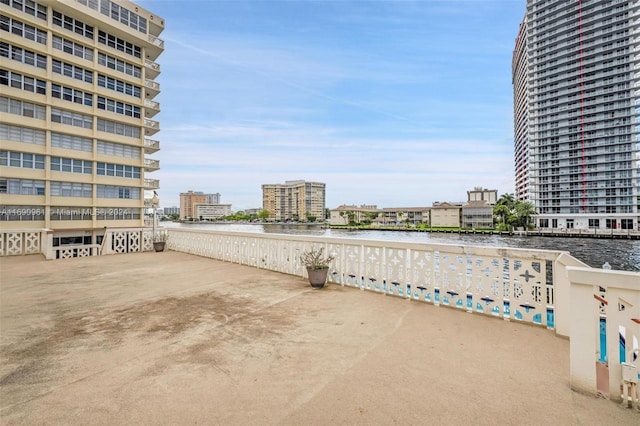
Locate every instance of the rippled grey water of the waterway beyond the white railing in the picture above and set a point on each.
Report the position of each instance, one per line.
(621, 254)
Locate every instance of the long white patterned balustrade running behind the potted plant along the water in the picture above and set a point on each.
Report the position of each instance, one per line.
(512, 284)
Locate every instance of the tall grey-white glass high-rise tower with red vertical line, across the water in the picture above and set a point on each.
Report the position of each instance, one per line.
(577, 111)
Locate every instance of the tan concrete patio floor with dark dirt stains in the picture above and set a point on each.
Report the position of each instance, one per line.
(170, 338)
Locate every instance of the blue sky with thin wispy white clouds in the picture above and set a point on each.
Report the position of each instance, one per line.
(393, 103)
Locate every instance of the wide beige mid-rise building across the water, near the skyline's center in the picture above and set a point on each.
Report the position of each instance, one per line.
(294, 200)
